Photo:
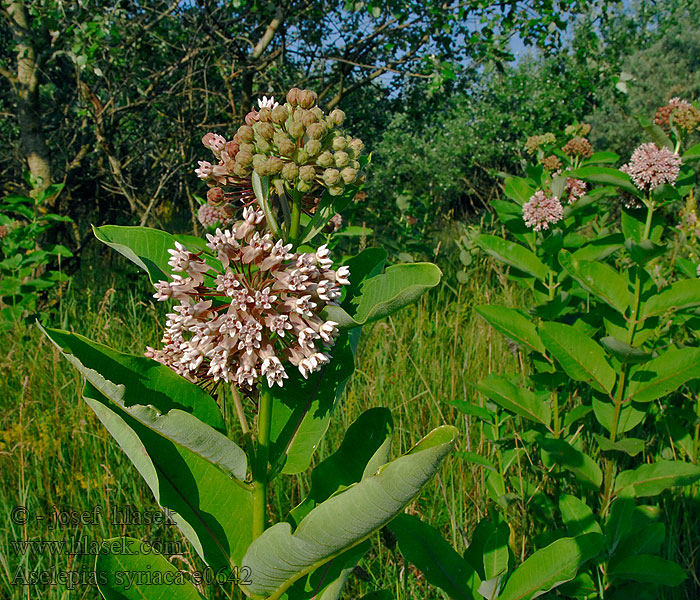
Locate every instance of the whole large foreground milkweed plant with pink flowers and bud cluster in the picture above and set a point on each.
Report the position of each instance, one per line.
(256, 351)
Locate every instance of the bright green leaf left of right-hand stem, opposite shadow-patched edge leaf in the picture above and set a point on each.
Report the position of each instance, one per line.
(581, 357)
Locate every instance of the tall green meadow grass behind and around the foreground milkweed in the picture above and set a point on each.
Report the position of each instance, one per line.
(56, 456)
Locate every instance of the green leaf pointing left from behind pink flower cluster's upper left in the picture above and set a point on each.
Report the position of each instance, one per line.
(148, 248)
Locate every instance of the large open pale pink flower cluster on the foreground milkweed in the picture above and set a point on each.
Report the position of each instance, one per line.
(240, 321)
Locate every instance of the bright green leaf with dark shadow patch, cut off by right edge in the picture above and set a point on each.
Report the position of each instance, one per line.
(662, 375)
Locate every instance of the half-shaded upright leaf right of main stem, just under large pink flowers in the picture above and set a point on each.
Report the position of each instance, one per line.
(302, 408)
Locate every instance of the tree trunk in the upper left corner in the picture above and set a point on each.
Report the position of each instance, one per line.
(32, 139)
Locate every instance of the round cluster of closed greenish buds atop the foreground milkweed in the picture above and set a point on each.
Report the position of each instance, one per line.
(298, 146)
